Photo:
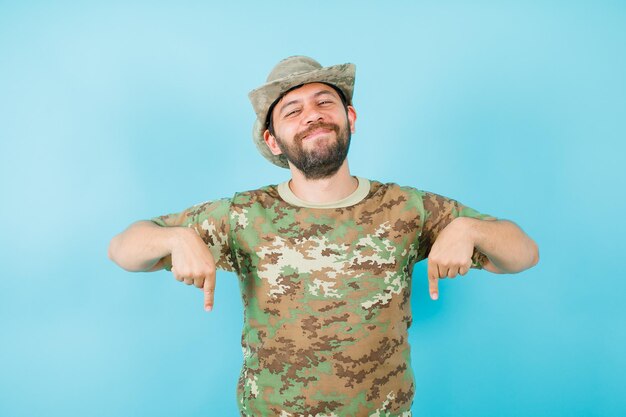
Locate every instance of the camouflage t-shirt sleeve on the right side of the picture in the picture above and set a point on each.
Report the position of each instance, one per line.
(438, 212)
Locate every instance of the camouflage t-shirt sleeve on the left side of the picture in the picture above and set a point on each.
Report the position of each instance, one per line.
(211, 221)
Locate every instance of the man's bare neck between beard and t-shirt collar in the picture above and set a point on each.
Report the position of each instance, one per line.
(325, 190)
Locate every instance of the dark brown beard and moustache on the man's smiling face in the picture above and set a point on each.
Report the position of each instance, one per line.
(318, 162)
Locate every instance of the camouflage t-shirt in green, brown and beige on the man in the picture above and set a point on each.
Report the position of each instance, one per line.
(326, 293)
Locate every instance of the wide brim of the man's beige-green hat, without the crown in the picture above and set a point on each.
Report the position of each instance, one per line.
(341, 76)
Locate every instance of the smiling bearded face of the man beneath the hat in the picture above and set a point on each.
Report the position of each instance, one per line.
(312, 129)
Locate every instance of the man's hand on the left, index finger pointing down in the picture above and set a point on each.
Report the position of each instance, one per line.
(193, 263)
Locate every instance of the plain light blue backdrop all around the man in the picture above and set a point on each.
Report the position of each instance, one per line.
(112, 112)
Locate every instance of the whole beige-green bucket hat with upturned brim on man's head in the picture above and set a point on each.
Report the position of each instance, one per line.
(287, 74)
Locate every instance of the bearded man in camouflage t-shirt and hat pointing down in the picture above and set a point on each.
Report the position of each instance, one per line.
(325, 259)
